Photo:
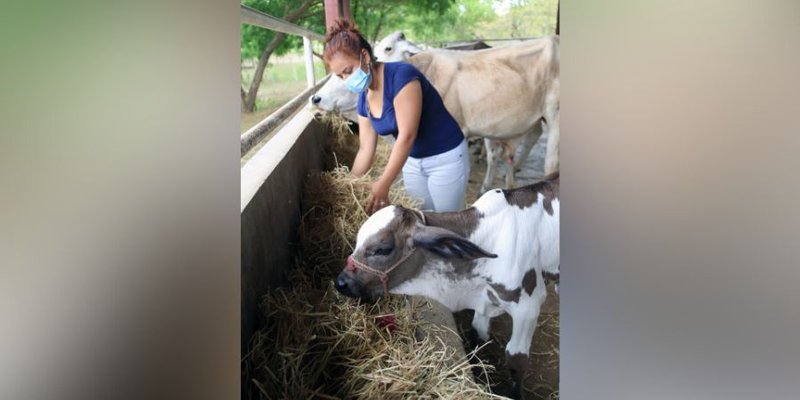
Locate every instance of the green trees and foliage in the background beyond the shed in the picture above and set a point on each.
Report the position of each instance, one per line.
(423, 21)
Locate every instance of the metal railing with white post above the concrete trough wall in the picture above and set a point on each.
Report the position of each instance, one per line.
(254, 17)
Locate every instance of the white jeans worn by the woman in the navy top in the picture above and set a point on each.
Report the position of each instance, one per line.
(440, 180)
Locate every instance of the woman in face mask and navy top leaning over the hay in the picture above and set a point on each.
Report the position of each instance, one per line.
(396, 99)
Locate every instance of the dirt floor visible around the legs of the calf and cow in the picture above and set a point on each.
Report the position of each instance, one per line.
(542, 381)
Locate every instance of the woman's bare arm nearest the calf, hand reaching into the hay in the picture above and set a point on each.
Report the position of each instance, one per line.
(408, 109)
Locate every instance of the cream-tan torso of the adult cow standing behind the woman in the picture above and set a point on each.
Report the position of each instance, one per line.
(497, 92)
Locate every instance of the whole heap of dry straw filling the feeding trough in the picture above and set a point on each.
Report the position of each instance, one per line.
(320, 344)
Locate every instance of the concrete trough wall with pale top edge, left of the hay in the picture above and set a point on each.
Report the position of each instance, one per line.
(272, 183)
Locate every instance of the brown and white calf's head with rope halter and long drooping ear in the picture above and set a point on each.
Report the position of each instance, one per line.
(393, 246)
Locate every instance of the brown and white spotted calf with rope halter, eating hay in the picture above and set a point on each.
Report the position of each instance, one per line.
(490, 258)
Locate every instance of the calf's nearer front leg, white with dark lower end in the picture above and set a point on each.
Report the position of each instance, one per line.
(524, 318)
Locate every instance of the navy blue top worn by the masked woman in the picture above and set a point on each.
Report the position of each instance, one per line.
(438, 131)
